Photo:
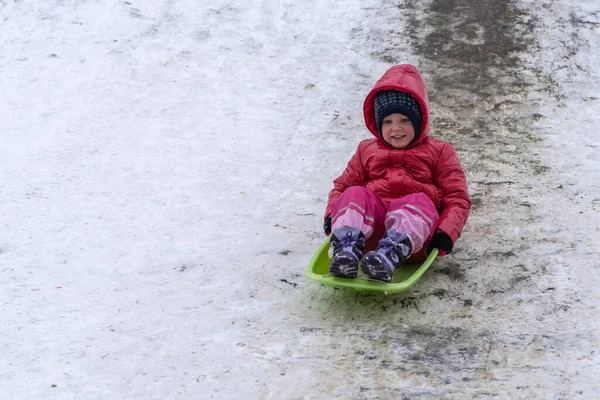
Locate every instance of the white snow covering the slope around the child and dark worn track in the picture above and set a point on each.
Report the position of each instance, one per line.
(164, 167)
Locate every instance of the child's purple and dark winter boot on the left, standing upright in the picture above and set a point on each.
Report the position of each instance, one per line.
(348, 244)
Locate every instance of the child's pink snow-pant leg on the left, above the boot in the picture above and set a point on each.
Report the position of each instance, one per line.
(360, 208)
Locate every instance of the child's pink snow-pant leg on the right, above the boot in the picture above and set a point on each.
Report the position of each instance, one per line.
(414, 215)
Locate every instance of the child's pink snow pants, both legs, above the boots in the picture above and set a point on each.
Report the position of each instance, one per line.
(413, 214)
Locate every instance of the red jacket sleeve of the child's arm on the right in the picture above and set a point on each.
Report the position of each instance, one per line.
(450, 178)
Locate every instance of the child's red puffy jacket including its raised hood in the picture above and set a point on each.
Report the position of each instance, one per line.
(427, 165)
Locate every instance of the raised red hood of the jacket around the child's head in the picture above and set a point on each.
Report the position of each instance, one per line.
(403, 78)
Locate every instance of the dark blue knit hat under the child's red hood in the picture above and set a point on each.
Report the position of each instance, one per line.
(392, 101)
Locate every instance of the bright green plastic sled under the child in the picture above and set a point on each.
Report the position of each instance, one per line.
(404, 277)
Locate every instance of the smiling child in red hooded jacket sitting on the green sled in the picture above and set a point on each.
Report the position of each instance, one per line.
(403, 189)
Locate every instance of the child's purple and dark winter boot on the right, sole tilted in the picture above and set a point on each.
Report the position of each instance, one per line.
(393, 249)
